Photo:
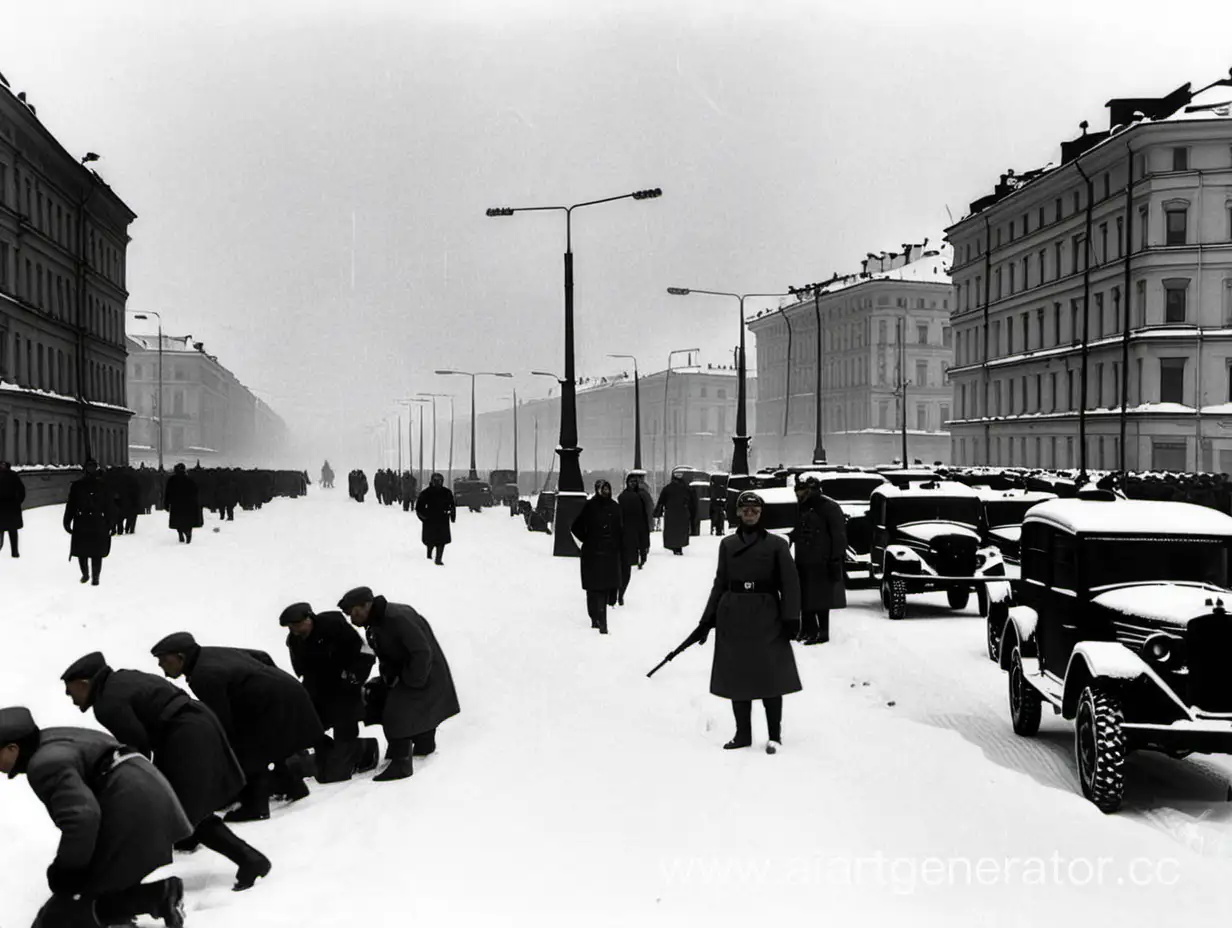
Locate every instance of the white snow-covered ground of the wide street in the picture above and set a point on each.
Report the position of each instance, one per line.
(573, 789)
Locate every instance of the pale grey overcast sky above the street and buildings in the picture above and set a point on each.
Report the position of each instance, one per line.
(311, 178)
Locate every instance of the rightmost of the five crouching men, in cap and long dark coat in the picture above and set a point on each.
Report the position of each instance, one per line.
(416, 680)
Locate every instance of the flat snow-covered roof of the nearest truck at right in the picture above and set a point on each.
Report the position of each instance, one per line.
(1133, 517)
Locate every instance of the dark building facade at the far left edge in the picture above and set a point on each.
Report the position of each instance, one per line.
(63, 289)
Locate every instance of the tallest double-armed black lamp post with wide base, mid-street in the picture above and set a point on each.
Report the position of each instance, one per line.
(572, 495)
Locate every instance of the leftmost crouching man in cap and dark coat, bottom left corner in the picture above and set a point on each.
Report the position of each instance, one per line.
(118, 816)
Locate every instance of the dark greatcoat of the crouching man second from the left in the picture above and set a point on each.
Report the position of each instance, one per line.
(183, 736)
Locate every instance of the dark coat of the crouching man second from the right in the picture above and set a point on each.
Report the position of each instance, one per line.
(334, 666)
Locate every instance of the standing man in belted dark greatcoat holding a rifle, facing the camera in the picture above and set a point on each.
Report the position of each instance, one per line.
(755, 612)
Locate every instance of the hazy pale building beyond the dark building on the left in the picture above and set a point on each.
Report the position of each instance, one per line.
(210, 416)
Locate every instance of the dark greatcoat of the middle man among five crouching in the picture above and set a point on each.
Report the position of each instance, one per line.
(267, 714)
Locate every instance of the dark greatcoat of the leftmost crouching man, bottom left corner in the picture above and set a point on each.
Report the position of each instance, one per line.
(118, 824)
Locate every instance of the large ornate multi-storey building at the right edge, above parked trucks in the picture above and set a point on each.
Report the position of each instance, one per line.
(1095, 299)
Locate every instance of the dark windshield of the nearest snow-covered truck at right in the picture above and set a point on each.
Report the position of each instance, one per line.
(1151, 559)
